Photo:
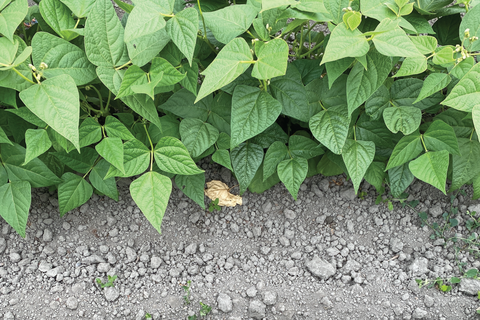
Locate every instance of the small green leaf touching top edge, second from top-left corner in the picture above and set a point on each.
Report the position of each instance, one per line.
(59, 18)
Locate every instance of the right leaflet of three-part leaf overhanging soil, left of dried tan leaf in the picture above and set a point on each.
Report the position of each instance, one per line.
(172, 156)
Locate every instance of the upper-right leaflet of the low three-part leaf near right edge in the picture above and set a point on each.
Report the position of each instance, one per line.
(440, 136)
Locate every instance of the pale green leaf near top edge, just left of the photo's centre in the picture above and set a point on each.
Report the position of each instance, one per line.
(230, 22)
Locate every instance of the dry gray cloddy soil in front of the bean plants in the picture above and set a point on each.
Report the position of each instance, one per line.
(329, 255)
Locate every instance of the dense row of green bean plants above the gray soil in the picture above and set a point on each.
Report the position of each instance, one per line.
(273, 90)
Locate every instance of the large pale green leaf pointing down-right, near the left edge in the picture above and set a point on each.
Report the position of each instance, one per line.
(56, 101)
